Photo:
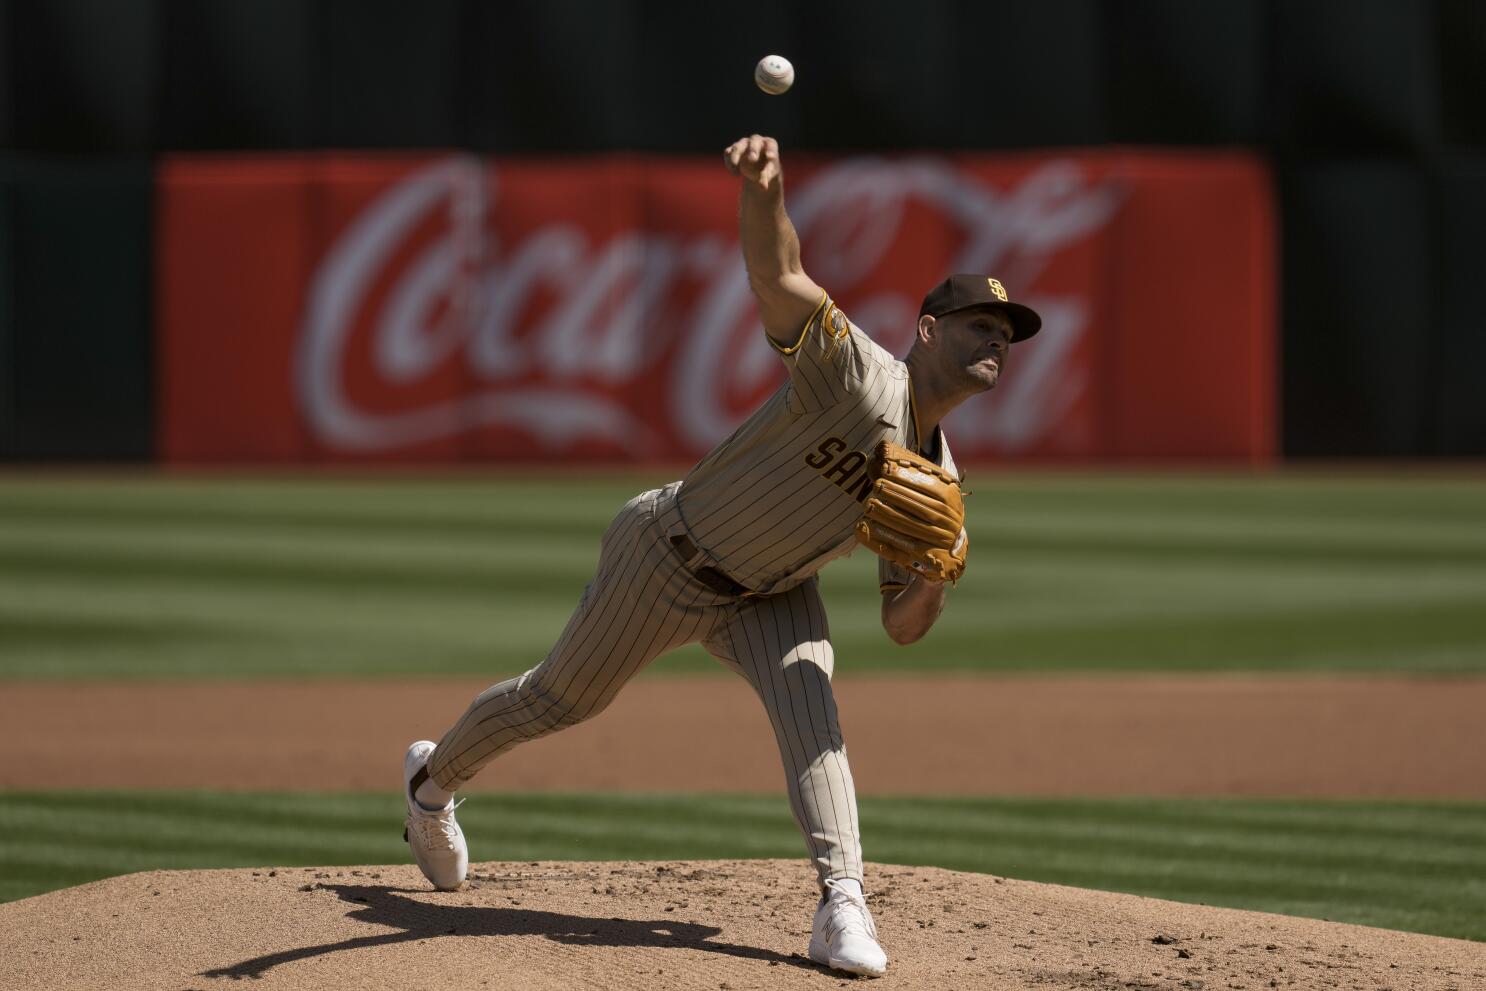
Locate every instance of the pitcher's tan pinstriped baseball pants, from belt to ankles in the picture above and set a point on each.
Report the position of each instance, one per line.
(644, 602)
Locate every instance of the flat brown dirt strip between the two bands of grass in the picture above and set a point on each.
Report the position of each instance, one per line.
(934, 736)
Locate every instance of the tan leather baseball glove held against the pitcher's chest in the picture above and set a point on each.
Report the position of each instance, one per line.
(915, 515)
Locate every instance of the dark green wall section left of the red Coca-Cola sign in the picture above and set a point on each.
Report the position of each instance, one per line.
(75, 310)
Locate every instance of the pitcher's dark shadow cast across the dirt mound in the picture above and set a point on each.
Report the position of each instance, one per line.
(423, 920)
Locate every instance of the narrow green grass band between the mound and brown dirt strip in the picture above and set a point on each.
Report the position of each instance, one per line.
(1402, 865)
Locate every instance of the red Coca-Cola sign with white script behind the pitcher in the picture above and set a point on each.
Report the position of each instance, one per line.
(455, 308)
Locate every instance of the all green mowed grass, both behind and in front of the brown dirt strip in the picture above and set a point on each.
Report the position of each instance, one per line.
(179, 577)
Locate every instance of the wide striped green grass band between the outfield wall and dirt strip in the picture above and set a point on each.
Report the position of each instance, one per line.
(163, 577)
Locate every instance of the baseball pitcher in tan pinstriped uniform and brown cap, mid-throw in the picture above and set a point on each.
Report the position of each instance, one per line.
(849, 451)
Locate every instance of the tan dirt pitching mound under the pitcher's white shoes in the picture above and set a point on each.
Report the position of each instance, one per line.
(704, 925)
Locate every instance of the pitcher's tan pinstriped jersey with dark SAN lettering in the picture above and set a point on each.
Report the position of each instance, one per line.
(781, 498)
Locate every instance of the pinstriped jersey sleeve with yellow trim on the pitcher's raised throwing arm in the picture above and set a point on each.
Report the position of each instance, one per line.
(833, 359)
